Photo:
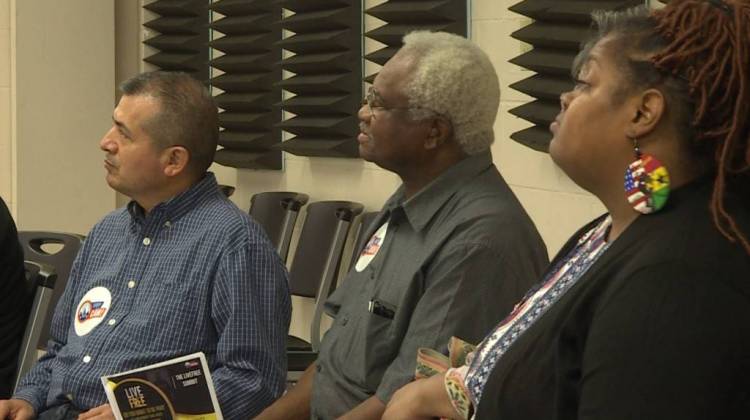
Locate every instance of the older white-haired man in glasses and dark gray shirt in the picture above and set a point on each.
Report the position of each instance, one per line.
(451, 251)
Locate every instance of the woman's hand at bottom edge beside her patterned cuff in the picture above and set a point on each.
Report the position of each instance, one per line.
(421, 399)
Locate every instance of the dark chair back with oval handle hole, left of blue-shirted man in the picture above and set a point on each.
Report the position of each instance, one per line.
(34, 244)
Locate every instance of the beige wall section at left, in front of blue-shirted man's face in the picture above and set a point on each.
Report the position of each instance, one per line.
(62, 96)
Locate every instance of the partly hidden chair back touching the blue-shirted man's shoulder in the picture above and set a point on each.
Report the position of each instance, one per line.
(276, 212)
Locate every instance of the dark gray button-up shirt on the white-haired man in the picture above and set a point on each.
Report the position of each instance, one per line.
(456, 257)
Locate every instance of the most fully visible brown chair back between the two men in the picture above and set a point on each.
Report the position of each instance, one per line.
(318, 254)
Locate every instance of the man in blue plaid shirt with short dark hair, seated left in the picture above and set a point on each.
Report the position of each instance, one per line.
(180, 269)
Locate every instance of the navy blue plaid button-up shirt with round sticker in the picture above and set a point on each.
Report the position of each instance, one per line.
(195, 274)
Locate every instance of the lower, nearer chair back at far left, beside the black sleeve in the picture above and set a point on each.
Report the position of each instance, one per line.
(40, 279)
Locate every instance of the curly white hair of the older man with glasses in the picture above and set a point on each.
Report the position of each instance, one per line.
(454, 78)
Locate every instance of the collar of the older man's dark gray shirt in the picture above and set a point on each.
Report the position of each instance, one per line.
(422, 206)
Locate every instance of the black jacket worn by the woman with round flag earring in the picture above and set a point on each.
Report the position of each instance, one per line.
(658, 328)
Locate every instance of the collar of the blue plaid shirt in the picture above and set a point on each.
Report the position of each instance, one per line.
(174, 208)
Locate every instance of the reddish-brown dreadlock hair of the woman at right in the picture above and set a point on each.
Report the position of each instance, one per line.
(697, 53)
